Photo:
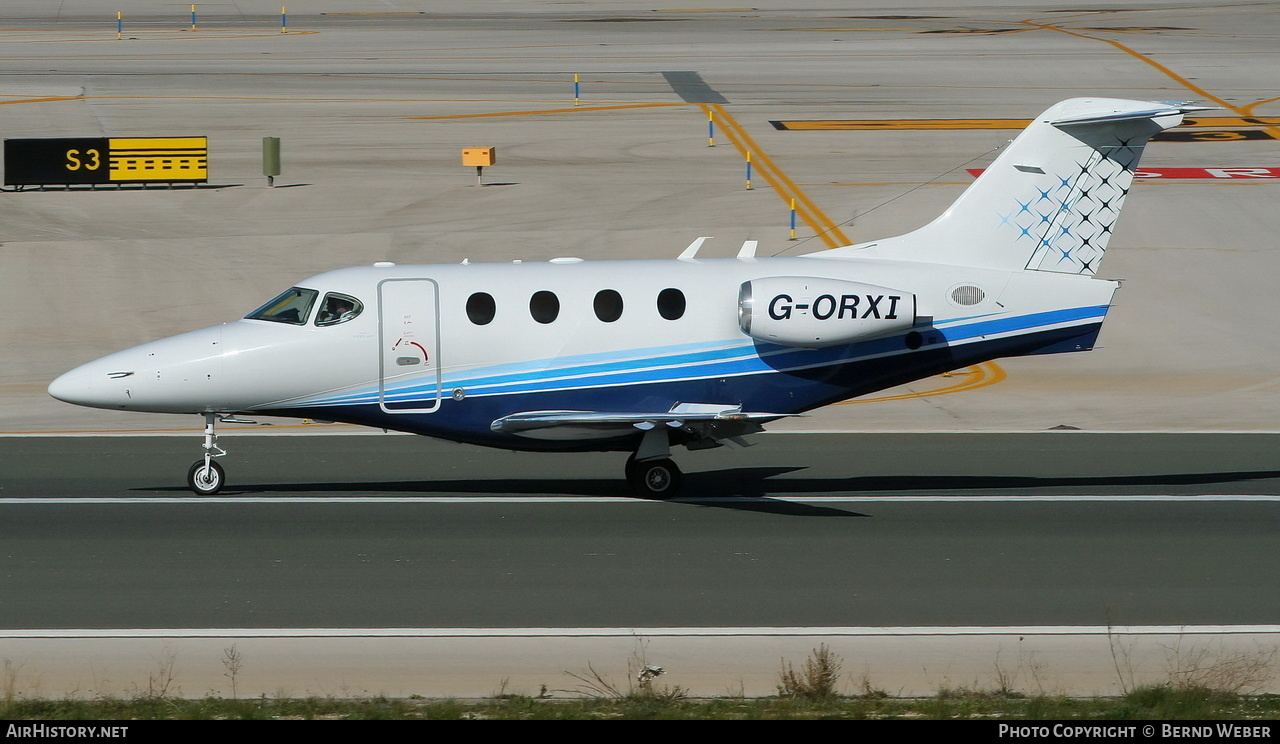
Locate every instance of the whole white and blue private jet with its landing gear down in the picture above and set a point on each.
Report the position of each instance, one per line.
(642, 357)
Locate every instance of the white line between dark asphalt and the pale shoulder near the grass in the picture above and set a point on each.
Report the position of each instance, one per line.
(1077, 631)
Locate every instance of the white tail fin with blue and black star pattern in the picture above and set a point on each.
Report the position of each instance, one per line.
(1052, 199)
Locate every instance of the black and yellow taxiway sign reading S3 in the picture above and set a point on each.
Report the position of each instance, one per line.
(76, 161)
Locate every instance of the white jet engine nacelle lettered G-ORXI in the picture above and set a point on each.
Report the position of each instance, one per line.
(813, 313)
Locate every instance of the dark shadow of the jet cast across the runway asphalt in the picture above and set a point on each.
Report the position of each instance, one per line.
(756, 489)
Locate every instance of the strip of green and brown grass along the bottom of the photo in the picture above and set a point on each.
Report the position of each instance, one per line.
(1163, 702)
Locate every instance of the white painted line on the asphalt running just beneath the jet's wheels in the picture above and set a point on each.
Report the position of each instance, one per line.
(614, 500)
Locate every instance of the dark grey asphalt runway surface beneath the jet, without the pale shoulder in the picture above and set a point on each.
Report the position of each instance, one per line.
(799, 531)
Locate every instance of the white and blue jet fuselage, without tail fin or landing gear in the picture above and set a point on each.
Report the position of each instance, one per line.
(449, 350)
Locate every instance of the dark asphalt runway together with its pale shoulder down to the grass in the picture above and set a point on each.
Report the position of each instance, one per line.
(427, 568)
